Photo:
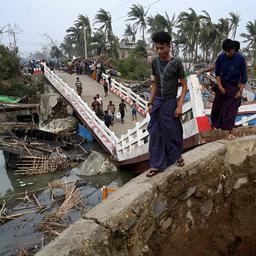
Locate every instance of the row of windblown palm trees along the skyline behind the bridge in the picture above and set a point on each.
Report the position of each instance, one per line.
(195, 37)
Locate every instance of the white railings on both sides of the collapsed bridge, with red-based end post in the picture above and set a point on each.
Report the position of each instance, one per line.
(133, 146)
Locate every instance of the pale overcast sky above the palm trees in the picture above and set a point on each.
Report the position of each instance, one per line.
(53, 17)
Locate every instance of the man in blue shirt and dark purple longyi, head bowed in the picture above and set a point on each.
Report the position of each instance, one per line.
(231, 75)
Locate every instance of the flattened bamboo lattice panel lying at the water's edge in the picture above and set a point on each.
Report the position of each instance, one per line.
(32, 165)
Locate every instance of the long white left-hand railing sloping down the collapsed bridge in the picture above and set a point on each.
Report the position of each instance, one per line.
(88, 116)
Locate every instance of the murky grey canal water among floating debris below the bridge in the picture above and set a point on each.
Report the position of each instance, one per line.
(23, 231)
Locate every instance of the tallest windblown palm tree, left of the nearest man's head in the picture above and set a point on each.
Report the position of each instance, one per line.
(138, 15)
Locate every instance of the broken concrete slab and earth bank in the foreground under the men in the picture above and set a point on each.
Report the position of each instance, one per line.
(182, 211)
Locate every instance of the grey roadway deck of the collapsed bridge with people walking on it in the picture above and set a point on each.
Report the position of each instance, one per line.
(90, 89)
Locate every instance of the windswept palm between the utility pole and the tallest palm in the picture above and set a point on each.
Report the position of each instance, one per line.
(104, 18)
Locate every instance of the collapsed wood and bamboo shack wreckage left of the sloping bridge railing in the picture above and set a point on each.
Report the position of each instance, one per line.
(33, 151)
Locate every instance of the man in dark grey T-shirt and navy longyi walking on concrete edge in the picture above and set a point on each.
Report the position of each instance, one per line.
(165, 129)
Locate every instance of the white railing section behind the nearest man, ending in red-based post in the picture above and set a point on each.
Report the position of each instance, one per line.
(135, 143)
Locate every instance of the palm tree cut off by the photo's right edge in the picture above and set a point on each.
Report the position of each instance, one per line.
(250, 38)
